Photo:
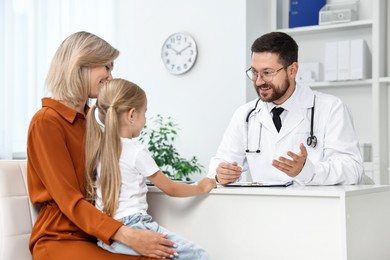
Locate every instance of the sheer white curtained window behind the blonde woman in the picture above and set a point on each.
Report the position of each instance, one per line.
(30, 33)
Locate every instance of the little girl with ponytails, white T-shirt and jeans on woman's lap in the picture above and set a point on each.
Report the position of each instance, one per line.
(117, 166)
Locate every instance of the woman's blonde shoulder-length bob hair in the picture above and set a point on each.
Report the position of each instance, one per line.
(69, 72)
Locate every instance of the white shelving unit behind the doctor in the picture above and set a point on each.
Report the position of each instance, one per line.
(372, 27)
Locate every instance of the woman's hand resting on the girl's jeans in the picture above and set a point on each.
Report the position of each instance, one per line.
(146, 242)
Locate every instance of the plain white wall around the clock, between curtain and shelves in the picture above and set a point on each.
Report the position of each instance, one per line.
(202, 101)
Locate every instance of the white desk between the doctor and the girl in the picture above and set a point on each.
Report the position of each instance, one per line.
(297, 223)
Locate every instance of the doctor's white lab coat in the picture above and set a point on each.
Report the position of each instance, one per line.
(335, 160)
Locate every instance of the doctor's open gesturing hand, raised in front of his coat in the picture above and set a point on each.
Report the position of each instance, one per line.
(293, 166)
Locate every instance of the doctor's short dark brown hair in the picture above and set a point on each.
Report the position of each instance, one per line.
(278, 43)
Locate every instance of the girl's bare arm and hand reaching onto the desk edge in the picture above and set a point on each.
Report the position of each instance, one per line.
(179, 189)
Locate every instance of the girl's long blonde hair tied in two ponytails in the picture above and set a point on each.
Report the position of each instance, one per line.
(103, 142)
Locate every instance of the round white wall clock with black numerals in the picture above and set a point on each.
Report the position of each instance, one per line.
(179, 53)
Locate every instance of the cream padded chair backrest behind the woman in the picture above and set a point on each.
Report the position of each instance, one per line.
(17, 213)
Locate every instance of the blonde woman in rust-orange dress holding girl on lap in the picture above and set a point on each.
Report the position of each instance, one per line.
(68, 225)
